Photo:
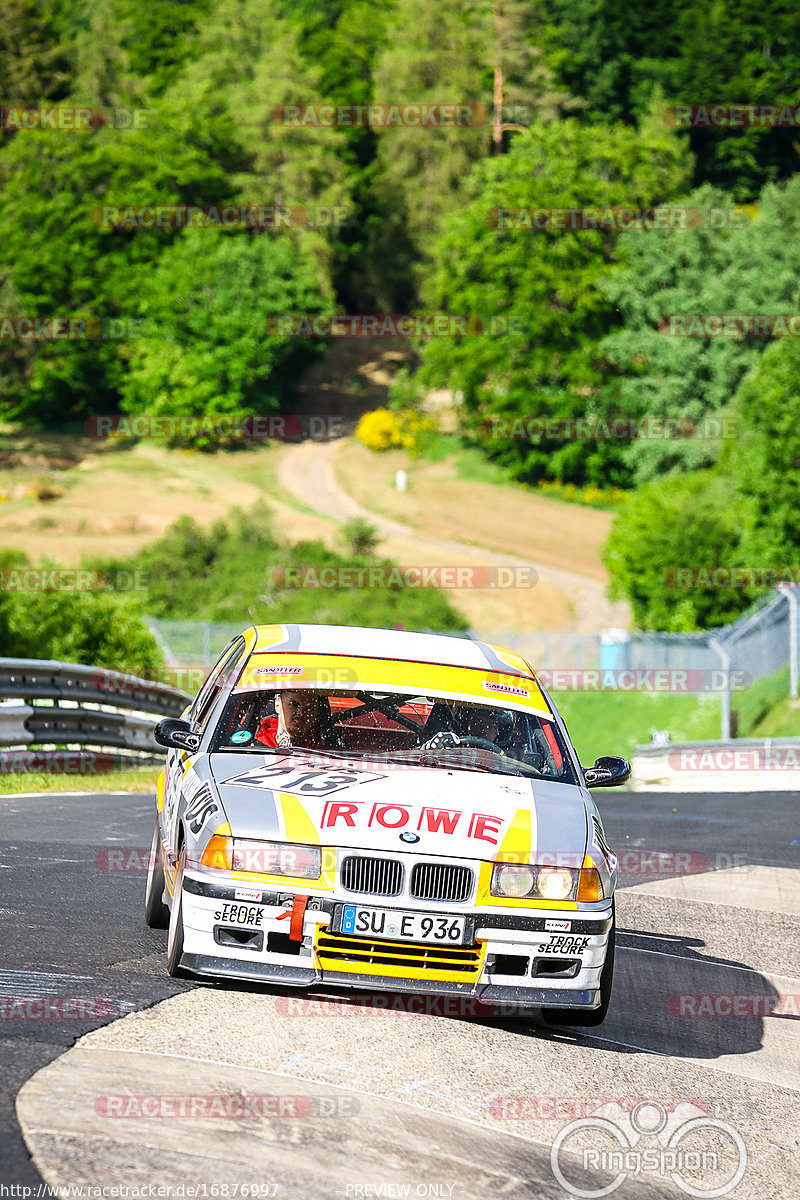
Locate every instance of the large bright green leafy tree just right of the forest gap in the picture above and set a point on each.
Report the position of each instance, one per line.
(537, 292)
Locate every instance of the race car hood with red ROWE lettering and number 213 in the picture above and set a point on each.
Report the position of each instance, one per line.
(371, 806)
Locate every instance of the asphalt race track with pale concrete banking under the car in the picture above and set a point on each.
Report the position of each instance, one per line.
(448, 1088)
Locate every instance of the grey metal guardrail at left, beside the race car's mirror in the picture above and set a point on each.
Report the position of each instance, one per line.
(47, 704)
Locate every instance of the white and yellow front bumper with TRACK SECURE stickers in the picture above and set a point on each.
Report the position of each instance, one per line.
(513, 959)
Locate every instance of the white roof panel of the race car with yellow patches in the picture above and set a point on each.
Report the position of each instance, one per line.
(388, 644)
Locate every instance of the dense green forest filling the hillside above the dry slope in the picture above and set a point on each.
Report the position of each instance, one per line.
(590, 184)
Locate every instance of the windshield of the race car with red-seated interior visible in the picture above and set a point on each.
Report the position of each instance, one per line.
(416, 731)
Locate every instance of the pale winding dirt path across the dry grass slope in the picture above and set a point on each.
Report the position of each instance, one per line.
(562, 602)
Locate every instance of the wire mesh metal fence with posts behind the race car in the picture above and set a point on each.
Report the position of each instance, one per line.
(720, 662)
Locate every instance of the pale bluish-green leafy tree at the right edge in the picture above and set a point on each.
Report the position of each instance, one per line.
(749, 267)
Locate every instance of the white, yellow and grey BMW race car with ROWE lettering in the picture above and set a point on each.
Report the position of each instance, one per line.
(384, 811)
